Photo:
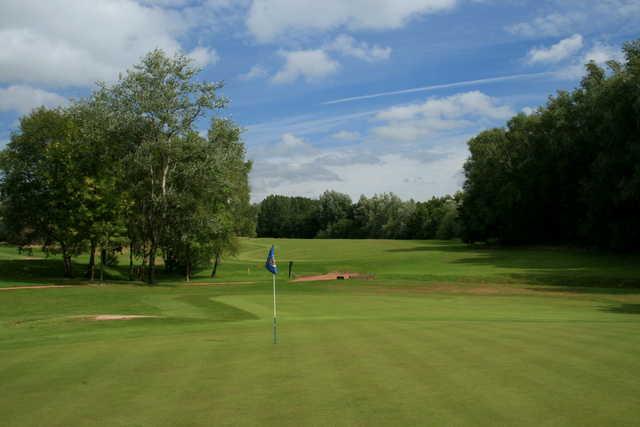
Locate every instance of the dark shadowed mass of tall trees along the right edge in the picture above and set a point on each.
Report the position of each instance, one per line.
(568, 173)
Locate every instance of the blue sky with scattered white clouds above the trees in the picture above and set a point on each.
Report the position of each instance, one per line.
(357, 96)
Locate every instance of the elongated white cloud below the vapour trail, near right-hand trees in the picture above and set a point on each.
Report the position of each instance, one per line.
(457, 112)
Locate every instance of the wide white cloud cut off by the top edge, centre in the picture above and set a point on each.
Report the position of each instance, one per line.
(270, 19)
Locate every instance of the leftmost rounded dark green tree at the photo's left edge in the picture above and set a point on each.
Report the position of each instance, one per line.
(44, 188)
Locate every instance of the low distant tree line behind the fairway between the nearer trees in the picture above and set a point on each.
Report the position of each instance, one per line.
(334, 215)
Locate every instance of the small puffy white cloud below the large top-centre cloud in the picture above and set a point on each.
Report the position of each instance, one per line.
(308, 64)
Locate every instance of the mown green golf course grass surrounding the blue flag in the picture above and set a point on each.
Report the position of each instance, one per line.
(444, 335)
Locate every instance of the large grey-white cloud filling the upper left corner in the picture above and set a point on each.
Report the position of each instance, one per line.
(76, 42)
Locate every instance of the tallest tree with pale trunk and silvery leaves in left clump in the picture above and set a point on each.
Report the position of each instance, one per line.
(161, 96)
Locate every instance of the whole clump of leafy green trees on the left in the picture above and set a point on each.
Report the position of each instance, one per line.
(126, 167)
